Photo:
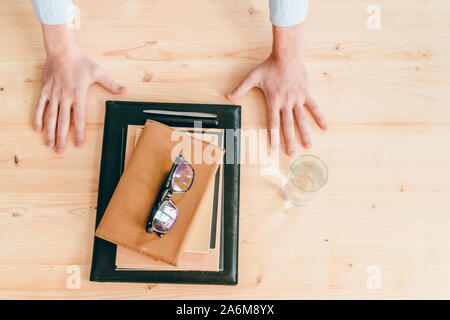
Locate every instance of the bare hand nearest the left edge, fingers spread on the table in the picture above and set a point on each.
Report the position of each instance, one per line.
(66, 78)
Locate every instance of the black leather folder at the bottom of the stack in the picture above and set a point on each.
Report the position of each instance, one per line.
(120, 114)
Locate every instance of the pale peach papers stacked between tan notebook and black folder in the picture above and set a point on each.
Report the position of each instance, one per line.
(203, 250)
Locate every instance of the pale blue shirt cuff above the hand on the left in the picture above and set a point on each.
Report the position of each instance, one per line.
(53, 11)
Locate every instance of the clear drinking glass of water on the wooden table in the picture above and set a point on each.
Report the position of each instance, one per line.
(307, 175)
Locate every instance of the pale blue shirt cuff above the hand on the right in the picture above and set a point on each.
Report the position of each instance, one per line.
(286, 13)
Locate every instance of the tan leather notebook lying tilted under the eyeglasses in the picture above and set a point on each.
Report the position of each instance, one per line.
(126, 215)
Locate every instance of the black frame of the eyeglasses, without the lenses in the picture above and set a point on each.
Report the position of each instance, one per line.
(165, 194)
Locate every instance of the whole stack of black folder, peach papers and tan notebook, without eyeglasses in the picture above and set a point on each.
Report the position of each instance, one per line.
(136, 156)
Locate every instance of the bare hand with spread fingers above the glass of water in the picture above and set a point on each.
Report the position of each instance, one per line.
(283, 79)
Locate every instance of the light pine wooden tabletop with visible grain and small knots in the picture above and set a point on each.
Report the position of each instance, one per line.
(379, 229)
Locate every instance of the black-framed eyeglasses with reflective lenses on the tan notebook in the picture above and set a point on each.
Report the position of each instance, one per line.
(164, 212)
